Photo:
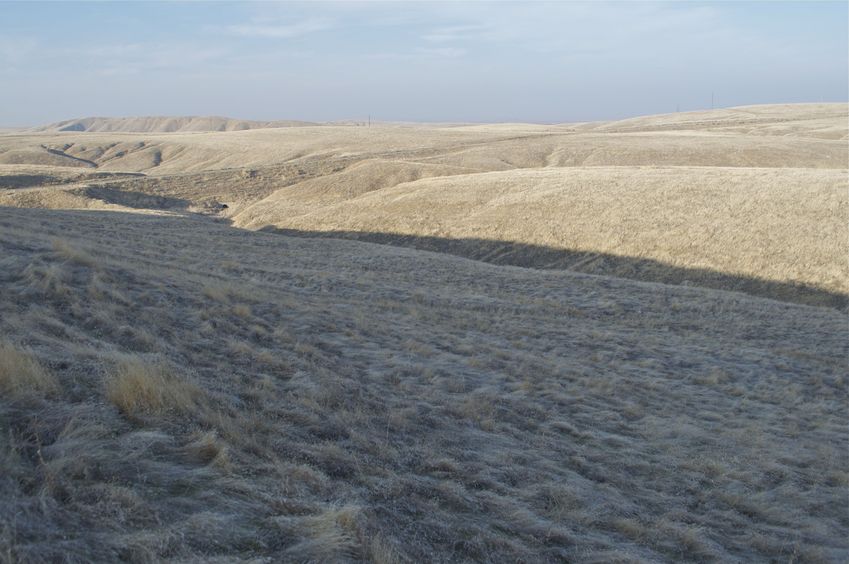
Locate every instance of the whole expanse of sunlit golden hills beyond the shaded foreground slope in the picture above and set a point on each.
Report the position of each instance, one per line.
(656, 198)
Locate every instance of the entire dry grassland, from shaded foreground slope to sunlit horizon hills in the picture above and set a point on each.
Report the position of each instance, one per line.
(236, 395)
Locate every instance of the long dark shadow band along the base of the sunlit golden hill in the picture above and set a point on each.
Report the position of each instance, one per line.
(541, 257)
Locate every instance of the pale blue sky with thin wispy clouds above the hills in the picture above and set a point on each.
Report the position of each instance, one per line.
(543, 62)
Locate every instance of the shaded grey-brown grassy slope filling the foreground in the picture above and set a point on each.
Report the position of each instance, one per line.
(175, 388)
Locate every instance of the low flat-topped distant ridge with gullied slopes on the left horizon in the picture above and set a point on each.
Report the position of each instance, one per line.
(163, 124)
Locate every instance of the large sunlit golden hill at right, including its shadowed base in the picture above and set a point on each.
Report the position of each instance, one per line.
(764, 227)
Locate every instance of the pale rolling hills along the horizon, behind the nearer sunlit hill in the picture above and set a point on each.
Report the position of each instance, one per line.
(805, 135)
